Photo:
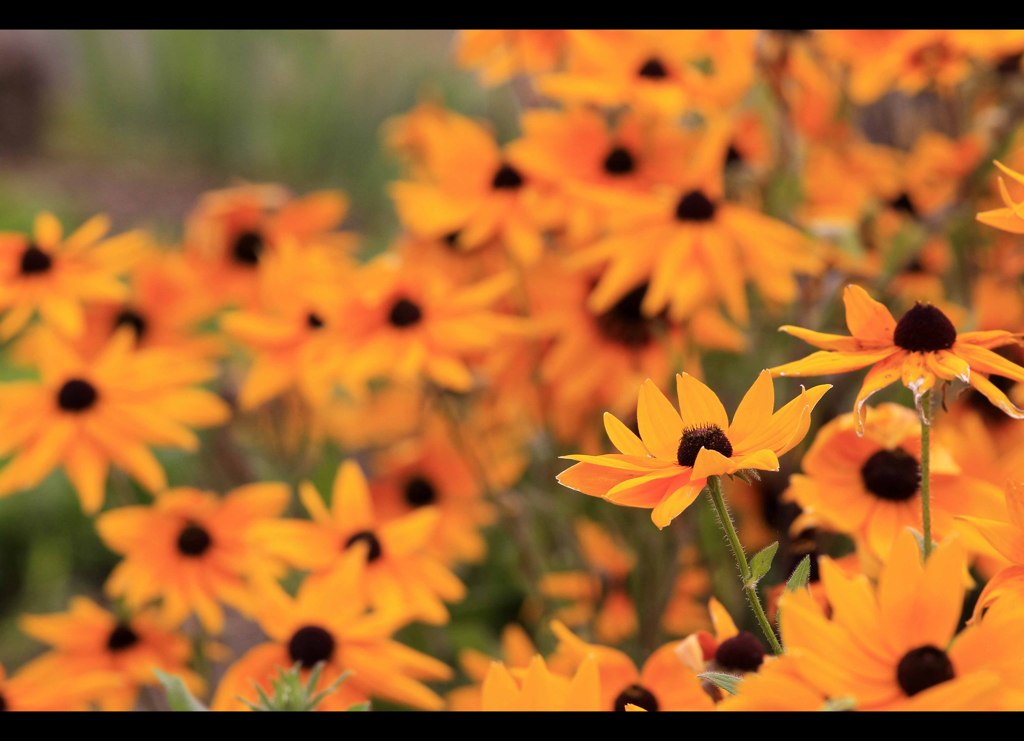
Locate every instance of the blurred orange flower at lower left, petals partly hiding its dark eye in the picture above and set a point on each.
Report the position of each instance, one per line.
(403, 575)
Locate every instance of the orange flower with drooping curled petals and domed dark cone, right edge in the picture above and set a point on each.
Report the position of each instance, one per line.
(920, 350)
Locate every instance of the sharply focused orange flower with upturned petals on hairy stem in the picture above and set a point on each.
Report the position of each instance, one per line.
(668, 466)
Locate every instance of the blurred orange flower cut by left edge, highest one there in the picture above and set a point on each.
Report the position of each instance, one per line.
(56, 276)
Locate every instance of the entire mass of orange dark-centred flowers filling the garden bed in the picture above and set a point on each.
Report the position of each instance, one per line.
(672, 198)
